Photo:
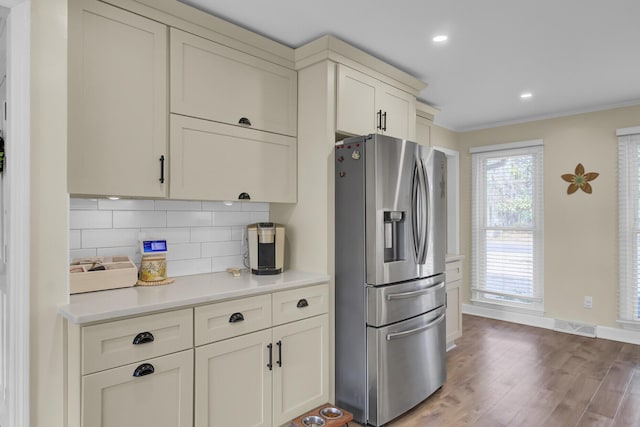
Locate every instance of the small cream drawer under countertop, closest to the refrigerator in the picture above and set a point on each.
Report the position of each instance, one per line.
(289, 306)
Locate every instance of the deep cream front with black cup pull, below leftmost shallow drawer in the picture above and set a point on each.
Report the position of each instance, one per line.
(164, 398)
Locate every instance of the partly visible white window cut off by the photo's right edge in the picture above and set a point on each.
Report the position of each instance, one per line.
(629, 224)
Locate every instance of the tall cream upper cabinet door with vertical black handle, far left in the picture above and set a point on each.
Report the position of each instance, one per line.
(117, 102)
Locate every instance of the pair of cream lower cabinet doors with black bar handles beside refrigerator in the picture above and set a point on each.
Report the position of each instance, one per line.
(263, 378)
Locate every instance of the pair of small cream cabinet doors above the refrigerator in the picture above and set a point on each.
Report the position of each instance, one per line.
(366, 105)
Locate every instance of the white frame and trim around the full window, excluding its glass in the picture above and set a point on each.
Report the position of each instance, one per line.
(479, 154)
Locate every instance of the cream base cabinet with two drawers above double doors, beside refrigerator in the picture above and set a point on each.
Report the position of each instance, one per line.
(265, 377)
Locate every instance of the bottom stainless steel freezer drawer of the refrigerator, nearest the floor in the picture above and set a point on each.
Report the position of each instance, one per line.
(406, 364)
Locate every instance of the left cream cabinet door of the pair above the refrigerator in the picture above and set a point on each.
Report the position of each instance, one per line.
(356, 102)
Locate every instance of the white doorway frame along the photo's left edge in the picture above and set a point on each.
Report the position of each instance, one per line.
(18, 234)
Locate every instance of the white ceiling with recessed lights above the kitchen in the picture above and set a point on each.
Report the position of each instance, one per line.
(573, 55)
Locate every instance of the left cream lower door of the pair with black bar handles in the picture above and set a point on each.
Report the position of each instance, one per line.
(233, 384)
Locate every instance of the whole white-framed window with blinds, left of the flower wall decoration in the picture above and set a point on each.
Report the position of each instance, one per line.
(507, 225)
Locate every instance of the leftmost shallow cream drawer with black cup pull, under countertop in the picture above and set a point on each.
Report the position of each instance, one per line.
(112, 344)
